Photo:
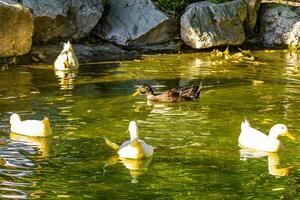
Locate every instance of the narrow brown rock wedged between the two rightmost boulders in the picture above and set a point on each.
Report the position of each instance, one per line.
(251, 18)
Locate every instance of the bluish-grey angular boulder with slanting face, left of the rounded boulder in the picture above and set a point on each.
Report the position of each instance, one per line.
(135, 23)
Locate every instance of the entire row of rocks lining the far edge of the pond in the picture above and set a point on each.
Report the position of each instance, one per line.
(32, 31)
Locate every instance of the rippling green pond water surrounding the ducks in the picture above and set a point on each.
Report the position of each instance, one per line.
(196, 154)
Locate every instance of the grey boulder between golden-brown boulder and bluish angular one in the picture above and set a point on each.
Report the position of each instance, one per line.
(57, 19)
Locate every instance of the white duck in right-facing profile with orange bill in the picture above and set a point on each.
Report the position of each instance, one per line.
(254, 139)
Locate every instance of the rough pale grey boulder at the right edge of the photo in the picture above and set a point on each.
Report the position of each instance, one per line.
(280, 26)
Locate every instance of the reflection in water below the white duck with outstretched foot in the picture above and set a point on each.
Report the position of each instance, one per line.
(136, 167)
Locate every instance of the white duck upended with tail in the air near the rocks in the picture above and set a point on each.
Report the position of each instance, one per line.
(67, 59)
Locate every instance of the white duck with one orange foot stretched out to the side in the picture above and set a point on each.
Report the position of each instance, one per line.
(133, 148)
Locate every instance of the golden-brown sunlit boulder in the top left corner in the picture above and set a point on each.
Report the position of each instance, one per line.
(16, 27)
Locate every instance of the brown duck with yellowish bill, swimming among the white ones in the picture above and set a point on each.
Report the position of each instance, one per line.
(172, 95)
